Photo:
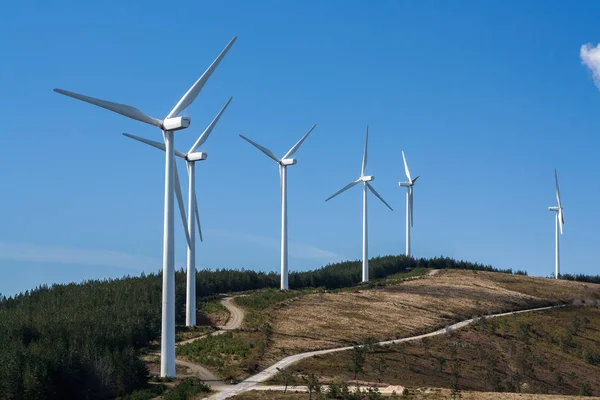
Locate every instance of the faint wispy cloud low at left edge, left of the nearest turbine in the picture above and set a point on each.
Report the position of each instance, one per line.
(14, 251)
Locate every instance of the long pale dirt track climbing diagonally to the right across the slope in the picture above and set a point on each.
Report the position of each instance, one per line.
(252, 382)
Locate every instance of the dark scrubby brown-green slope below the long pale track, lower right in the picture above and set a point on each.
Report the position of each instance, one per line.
(544, 352)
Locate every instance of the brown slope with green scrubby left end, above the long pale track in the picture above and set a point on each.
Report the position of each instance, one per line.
(279, 324)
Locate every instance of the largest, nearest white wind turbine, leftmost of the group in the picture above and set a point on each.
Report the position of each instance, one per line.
(168, 126)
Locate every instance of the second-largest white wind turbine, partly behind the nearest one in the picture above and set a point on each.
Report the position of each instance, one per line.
(190, 158)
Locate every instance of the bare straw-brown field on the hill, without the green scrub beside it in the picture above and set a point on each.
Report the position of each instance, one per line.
(327, 320)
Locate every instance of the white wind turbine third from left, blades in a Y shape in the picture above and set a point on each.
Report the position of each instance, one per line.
(284, 162)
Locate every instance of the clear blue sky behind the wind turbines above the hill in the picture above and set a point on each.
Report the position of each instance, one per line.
(485, 98)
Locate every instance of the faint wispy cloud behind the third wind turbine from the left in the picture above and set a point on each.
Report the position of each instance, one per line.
(296, 250)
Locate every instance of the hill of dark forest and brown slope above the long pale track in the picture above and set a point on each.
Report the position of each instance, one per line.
(86, 340)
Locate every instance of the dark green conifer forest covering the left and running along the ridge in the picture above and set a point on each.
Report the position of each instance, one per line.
(83, 340)
